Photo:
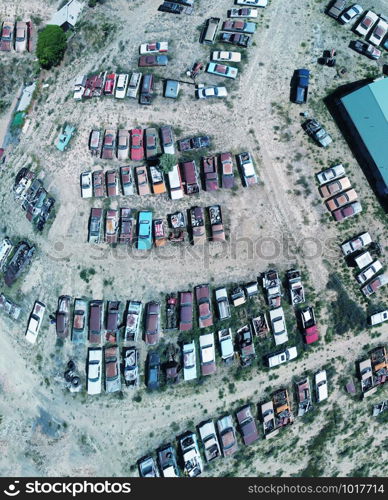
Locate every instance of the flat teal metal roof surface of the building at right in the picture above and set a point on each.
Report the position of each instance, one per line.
(368, 109)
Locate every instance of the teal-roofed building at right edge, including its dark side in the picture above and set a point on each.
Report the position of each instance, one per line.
(366, 117)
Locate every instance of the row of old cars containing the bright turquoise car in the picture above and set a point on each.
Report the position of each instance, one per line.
(120, 227)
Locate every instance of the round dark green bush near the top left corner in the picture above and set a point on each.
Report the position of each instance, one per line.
(51, 46)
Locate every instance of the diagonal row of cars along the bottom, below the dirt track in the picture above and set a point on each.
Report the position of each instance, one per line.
(222, 439)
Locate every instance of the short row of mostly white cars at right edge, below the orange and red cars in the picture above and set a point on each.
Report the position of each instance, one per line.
(357, 252)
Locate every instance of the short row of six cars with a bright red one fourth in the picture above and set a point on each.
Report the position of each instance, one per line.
(136, 144)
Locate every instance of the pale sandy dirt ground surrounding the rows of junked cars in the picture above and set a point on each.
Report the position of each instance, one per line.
(46, 431)
